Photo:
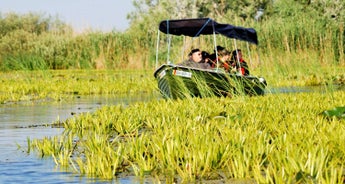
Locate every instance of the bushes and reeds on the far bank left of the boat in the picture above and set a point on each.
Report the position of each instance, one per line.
(31, 42)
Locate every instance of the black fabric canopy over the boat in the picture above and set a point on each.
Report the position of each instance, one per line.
(207, 26)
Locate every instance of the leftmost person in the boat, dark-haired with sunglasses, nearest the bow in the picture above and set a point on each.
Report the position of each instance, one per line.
(195, 60)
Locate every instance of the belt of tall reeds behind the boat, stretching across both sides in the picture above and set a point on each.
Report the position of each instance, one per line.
(283, 35)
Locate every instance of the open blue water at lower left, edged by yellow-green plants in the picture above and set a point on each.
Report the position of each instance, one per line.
(18, 122)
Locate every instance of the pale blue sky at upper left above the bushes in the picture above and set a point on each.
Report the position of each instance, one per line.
(104, 15)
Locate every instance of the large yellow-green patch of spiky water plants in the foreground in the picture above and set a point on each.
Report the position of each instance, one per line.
(268, 139)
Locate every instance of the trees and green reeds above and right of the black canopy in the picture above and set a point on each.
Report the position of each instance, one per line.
(285, 25)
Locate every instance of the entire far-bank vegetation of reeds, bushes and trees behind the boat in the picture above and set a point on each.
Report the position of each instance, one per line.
(34, 41)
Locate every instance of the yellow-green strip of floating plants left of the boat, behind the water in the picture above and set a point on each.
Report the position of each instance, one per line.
(61, 85)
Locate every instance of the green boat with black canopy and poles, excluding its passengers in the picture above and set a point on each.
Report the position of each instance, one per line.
(177, 82)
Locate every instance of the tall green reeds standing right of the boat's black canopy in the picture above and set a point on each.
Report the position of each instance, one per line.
(301, 34)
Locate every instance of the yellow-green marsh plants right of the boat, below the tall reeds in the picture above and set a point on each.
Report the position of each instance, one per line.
(300, 68)
